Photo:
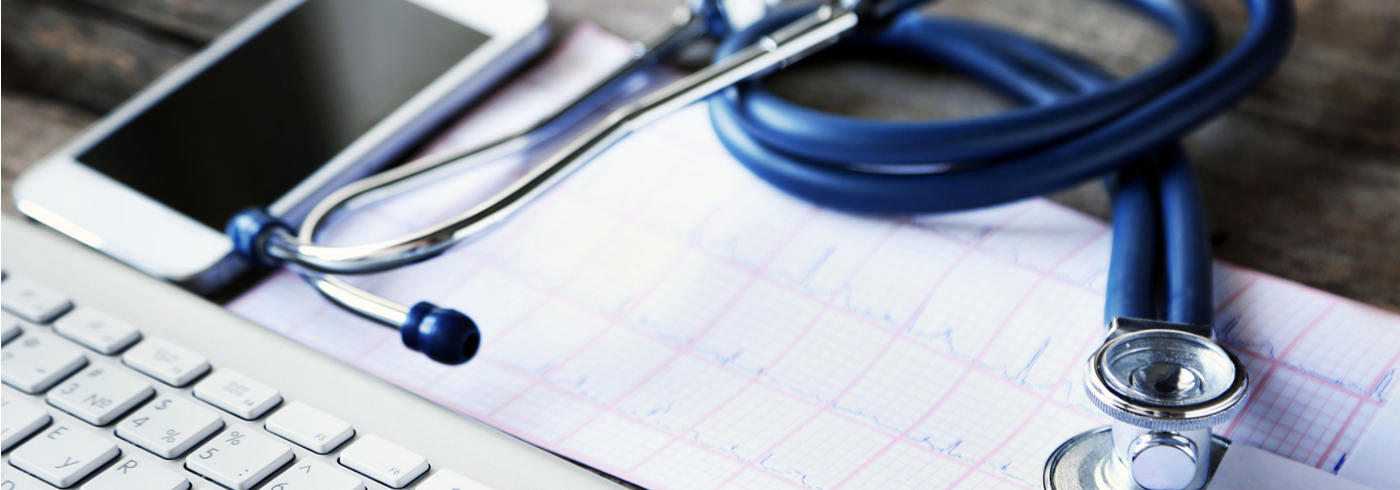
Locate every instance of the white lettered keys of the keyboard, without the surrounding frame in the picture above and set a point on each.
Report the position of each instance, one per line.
(100, 377)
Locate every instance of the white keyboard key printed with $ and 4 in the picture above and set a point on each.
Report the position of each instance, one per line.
(170, 426)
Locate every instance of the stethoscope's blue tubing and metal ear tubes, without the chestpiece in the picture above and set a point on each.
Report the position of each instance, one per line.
(1079, 124)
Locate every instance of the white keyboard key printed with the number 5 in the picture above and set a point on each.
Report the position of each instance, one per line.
(239, 458)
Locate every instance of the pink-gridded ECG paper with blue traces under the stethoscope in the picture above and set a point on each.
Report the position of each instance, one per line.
(668, 318)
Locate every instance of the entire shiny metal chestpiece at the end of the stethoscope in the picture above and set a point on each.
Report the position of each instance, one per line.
(1165, 386)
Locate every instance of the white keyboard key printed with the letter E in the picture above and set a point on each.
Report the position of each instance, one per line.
(64, 454)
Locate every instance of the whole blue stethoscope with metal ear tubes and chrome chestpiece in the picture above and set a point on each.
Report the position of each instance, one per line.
(1160, 373)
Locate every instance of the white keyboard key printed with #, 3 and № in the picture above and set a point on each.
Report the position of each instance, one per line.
(100, 394)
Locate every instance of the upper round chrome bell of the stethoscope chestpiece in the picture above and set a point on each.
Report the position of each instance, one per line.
(1167, 380)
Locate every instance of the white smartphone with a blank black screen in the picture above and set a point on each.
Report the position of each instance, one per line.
(299, 99)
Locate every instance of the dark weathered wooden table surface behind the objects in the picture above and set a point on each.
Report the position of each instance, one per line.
(1303, 178)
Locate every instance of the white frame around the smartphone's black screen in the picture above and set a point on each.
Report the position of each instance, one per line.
(99, 211)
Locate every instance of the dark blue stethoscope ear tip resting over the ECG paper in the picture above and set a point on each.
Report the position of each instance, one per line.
(443, 335)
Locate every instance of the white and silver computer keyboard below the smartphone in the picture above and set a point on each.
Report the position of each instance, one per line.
(118, 381)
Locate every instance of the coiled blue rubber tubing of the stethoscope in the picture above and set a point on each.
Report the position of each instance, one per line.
(1077, 124)
